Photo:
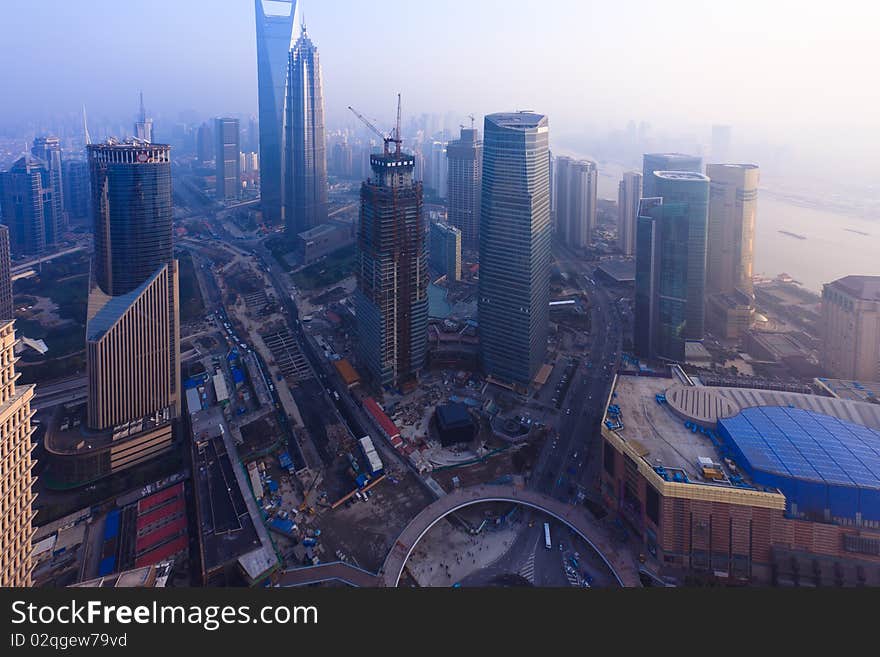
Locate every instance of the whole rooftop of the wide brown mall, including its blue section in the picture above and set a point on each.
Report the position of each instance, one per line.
(673, 425)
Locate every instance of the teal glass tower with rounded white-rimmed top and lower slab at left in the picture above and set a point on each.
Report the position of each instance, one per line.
(671, 264)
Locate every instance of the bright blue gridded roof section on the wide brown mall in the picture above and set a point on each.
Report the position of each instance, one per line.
(804, 445)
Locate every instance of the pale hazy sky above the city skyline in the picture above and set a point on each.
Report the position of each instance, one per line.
(769, 67)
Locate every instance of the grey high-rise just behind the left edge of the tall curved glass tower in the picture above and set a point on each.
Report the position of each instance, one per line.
(464, 178)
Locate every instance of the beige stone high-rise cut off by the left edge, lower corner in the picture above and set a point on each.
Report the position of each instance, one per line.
(16, 495)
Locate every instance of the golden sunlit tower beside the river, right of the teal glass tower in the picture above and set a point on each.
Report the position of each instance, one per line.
(733, 201)
